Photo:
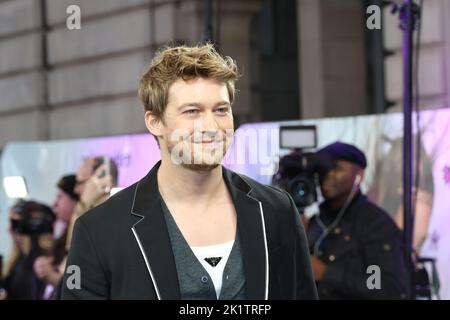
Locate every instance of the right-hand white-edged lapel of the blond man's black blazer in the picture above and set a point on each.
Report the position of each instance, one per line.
(251, 225)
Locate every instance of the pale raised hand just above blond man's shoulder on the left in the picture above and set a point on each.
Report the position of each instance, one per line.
(96, 187)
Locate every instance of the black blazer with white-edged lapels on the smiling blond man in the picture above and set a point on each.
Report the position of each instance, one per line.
(123, 251)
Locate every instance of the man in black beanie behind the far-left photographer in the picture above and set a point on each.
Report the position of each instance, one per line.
(46, 267)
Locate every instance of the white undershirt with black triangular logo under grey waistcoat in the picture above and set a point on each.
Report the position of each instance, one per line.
(219, 250)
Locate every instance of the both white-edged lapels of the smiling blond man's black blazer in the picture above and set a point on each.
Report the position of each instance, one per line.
(153, 237)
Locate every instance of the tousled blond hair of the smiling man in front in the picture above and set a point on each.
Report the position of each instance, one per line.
(182, 62)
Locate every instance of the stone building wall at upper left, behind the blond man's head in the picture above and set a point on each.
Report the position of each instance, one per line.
(90, 86)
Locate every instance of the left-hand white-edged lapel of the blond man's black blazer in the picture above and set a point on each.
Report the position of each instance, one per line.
(153, 238)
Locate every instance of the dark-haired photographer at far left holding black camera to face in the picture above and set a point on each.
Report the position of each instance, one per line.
(31, 227)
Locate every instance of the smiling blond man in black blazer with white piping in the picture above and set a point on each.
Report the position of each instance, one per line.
(191, 229)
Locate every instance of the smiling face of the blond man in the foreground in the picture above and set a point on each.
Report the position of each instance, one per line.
(198, 123)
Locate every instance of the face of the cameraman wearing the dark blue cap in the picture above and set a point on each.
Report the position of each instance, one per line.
(339, 181)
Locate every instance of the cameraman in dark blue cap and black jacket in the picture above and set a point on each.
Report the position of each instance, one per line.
(355, 246)
